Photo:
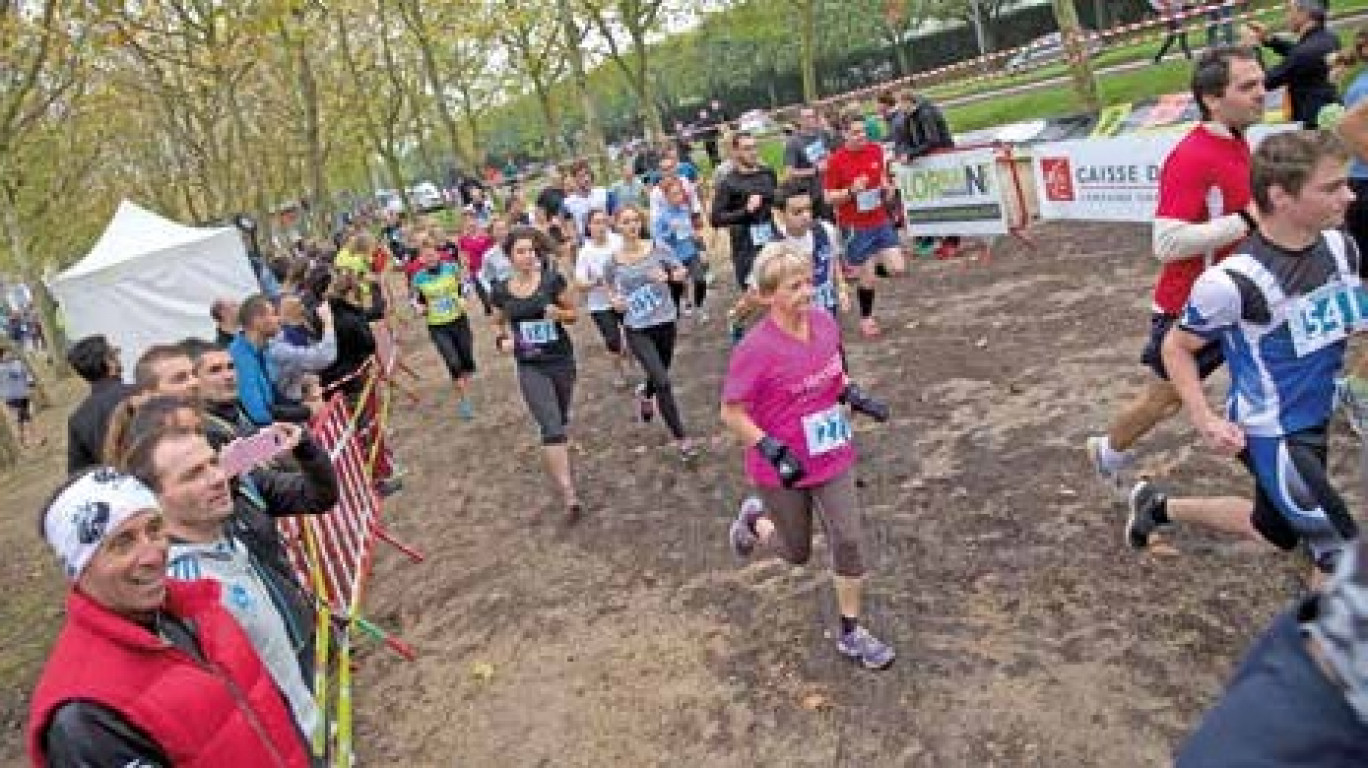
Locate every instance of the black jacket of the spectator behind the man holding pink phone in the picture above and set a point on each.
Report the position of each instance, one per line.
(265, 495)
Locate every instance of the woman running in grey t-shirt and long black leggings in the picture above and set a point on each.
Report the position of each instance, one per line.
(638, 279)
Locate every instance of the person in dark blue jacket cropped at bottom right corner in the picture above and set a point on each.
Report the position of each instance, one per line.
(1300, 697)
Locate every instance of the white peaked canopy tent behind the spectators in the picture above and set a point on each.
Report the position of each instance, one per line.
(151, 281)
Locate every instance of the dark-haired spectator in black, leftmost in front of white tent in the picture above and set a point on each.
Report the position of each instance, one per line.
(96, 362)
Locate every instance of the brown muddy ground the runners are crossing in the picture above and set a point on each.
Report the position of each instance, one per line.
(1028, 635)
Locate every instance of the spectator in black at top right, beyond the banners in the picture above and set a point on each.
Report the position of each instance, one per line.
(1306, 69)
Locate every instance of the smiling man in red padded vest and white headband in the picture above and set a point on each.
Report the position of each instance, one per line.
(146, 671)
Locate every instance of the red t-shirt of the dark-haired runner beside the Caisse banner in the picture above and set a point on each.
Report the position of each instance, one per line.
(1206, 177)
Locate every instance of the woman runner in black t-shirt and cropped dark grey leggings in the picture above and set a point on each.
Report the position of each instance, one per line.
(534, 307)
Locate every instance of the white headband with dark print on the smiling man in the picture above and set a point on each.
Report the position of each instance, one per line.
(88, 510)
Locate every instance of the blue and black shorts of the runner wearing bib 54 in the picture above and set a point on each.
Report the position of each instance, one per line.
(1293, 498)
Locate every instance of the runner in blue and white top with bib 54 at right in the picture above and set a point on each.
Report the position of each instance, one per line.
(1281, 309)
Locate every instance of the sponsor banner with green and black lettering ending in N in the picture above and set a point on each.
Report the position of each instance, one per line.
(953, 194)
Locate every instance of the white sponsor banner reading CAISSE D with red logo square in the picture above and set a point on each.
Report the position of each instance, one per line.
(1110, 180)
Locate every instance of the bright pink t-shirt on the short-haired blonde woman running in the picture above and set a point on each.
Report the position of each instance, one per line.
(791, 389)
